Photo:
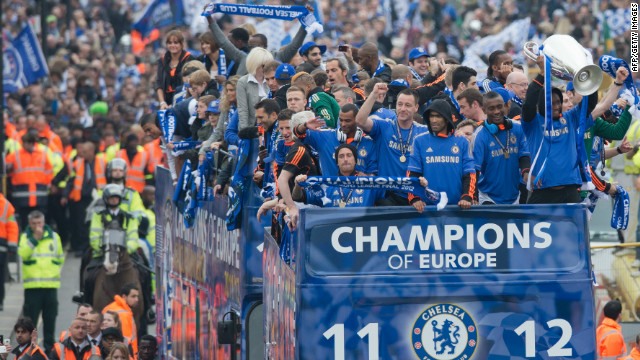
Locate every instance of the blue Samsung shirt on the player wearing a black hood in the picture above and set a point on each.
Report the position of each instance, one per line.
(442, 161)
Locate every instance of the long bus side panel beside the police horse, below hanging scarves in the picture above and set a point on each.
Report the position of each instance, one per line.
(198, 276)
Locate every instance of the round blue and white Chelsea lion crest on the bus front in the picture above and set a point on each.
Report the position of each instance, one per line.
(444, 332)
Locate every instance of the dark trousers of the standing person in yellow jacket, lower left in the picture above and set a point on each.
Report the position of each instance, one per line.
(43, 301)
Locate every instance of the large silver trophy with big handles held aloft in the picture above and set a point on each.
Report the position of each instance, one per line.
(569, 61)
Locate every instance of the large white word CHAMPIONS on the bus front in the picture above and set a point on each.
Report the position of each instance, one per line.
(489, 236)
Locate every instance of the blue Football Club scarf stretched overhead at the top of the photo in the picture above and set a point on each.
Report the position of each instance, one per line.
(307, 18)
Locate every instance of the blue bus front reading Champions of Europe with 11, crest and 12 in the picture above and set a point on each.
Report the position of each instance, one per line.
(495, 282)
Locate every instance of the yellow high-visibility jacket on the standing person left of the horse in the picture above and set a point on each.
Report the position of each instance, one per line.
(41, 260)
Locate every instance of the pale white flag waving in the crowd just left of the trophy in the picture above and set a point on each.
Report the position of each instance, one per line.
(517, 33)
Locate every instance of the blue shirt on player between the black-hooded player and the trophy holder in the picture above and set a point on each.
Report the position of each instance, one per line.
(499, 177)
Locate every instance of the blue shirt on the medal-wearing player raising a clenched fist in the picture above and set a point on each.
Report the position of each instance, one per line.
(385, 134)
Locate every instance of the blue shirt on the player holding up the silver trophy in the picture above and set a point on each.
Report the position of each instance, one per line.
(559, 148)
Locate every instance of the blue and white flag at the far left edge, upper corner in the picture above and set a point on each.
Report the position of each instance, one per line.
(24, 62)
